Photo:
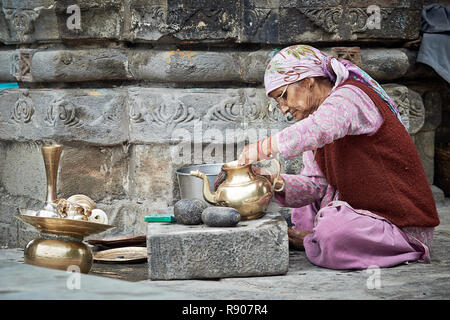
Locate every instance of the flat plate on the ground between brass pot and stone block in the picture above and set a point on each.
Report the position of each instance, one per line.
(122, 255)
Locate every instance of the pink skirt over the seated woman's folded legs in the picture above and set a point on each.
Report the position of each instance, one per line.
(346, 238)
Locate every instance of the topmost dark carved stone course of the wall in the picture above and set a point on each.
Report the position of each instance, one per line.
(222, 21)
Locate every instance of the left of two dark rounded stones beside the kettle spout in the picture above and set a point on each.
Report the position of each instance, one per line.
(189, 211)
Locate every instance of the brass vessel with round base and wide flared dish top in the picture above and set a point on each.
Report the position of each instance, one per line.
(60, 244)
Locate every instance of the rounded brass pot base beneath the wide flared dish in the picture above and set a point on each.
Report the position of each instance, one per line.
(59, 254)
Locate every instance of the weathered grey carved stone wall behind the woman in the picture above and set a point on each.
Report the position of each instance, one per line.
(128, 86)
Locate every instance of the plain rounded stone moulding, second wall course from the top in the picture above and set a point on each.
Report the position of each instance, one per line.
(172, 65)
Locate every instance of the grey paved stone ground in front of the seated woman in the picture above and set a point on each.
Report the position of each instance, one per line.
(303, 281)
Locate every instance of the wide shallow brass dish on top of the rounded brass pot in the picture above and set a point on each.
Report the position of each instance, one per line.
(60, 226)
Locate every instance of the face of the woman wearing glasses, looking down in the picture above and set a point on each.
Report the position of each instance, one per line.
(301, 98)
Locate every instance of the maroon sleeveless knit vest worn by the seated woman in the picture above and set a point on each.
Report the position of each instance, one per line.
(381, 173)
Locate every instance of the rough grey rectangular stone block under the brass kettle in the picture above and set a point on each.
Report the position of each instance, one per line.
(252, 248)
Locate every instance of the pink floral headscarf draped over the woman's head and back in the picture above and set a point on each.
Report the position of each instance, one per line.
(298, 62)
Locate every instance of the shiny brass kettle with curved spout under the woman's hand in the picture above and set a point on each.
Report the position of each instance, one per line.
(242, 189)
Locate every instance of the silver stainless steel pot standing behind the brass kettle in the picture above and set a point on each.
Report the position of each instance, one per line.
(192, 187)
